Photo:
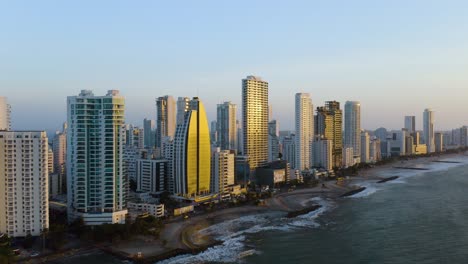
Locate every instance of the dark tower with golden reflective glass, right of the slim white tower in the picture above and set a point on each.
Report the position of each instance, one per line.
(329, 126)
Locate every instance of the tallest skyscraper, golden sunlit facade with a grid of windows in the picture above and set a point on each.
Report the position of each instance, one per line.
(255, 120)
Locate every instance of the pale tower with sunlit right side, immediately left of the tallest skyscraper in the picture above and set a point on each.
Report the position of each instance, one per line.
(226, 124)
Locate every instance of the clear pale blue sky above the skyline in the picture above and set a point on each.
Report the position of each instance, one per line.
(395, 57)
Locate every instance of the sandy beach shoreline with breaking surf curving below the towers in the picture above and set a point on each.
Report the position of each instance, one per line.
(189, 237)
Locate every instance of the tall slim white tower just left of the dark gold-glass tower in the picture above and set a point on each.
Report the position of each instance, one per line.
(304, 131)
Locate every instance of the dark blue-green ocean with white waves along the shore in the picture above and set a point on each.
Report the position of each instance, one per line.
(422, 217)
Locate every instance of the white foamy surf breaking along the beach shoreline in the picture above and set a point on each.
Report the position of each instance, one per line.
(233, 233)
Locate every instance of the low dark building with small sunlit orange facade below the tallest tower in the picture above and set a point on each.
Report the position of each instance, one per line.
(273, 173)
